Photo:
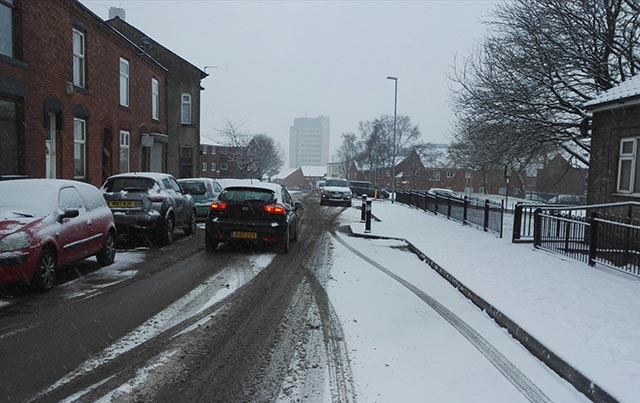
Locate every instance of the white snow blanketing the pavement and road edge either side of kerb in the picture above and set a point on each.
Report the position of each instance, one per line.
(589, 317)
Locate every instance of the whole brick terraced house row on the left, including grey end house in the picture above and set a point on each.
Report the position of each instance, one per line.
(83, 98)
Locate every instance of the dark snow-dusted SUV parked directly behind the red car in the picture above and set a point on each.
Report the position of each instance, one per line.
(149, 202)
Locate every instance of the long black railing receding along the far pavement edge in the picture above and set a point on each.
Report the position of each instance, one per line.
(482, 213)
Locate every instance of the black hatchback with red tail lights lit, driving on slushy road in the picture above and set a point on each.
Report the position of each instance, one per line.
(259, 213)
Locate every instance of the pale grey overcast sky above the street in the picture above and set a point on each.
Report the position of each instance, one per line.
(280, 60)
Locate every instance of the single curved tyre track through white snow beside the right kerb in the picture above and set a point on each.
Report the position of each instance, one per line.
(518, 379)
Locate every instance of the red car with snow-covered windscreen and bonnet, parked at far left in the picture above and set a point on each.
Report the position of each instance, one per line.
(46, 224)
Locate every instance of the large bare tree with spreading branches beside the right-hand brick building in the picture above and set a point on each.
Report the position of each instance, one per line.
(525, 88)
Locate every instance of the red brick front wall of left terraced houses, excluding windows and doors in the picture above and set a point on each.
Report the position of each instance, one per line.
(47, 51)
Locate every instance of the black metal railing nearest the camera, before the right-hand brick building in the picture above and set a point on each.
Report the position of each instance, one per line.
(608, 234)
